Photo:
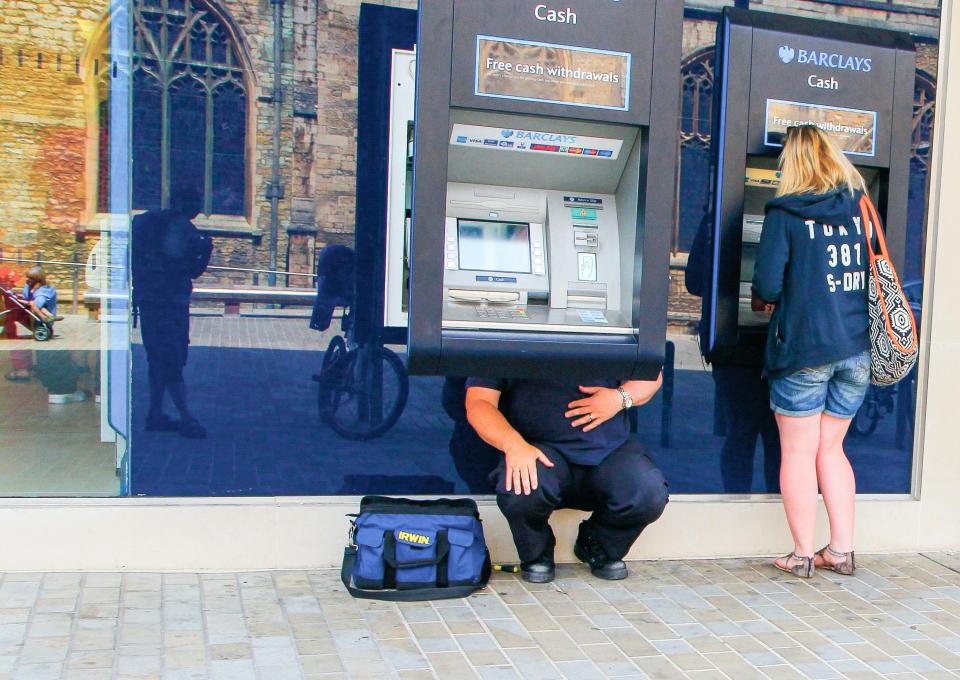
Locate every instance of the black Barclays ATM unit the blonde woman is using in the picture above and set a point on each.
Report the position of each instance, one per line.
(773, 71)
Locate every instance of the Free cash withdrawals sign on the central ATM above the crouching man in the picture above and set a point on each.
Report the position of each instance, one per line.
(556, 74)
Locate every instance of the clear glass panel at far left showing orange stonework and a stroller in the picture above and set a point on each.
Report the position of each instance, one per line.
(64, 340)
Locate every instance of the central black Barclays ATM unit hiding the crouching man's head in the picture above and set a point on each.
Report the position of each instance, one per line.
(544, 183)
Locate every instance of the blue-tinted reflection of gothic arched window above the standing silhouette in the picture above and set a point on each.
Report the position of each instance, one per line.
(189, 107)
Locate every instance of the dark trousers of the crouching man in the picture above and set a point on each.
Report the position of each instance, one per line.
(626, 492)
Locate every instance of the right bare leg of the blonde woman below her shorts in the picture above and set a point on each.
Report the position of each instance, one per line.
(837, 482)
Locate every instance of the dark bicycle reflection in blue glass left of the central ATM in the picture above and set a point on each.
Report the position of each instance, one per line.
(363, 386)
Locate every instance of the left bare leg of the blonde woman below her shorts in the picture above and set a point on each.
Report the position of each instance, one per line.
(799, 443)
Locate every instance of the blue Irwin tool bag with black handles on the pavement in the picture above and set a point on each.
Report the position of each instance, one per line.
(406, 550)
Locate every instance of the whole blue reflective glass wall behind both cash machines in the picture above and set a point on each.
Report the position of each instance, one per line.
(294, 379)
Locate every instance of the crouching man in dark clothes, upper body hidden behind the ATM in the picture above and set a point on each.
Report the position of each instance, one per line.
(566, 445)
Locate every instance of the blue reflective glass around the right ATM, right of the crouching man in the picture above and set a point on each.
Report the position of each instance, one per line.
(720, 436)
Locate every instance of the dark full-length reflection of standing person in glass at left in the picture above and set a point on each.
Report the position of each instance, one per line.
(168, 253)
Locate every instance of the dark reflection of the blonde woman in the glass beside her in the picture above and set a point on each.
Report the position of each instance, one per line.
(741, 392)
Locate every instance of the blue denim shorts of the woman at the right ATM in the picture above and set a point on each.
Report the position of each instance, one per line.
(837, 389)
